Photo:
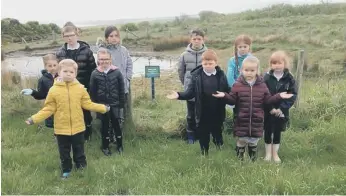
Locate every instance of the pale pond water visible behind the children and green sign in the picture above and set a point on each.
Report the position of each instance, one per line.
(32, 66)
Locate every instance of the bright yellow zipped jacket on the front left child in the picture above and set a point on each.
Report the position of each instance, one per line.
(65, 101)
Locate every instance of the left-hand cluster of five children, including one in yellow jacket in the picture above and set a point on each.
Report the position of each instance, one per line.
(73, 84)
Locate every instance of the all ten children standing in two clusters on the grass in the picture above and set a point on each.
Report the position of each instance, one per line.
(73, 84)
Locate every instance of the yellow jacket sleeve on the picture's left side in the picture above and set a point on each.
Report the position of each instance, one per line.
(48, 109)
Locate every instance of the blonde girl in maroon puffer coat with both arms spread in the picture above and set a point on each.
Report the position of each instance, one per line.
(249, 94)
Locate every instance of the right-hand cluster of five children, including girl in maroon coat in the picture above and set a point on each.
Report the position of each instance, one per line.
(260, 103)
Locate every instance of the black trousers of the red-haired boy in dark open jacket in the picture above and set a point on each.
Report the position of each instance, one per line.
(205, 129)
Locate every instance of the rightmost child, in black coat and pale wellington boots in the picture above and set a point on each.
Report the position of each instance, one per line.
(278, 79)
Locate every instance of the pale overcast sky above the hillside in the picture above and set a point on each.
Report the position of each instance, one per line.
(60, 11)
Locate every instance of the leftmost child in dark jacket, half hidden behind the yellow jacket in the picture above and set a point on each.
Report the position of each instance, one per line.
(45, 83)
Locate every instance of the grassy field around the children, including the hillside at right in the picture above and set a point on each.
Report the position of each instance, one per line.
(157, 161)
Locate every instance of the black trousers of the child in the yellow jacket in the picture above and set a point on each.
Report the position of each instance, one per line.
(65, 142)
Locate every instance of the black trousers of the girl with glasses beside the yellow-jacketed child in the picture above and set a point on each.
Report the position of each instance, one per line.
(105, 128)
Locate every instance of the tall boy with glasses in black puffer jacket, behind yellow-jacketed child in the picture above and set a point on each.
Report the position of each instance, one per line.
(81, 53)
